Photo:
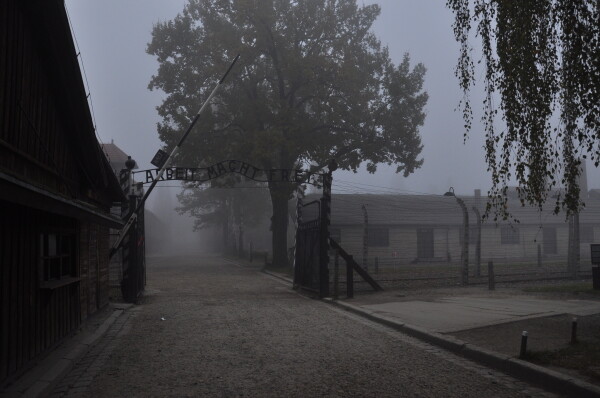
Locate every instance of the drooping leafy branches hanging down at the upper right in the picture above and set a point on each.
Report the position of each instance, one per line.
(542, 60)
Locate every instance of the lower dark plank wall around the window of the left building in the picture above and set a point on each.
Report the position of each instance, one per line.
(34, 319)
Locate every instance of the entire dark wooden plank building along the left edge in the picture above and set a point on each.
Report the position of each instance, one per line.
(56, 188)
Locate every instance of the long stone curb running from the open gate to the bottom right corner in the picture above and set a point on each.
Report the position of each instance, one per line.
(528, 372)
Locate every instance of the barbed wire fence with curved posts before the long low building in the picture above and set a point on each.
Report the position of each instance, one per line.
(417, 239)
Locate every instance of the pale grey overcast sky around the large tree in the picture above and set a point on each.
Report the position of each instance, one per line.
(112, 36)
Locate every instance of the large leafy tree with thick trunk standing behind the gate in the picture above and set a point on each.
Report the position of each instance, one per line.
(314, 83)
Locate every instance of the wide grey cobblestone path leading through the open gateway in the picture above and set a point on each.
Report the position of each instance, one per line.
(209, 328)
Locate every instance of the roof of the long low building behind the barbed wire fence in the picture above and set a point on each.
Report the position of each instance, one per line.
(430, 210)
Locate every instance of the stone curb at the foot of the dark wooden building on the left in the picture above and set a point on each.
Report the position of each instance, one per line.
(61, 367)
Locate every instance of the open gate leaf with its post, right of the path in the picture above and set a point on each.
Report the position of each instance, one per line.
(311, 259)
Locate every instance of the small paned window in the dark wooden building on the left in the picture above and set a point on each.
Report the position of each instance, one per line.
(57, 256)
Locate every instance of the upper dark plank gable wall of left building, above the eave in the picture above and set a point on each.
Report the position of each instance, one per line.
(33, 143)
